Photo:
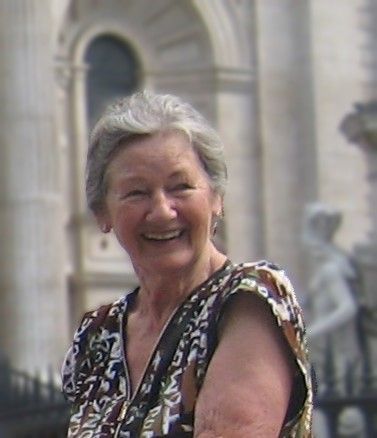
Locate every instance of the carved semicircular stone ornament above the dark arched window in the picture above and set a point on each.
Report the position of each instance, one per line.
(166, 35)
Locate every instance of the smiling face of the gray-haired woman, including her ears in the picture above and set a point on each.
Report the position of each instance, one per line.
(160, 203)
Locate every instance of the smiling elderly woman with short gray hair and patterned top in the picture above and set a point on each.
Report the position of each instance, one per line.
(202, 347)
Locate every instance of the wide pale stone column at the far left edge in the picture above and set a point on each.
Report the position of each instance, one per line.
(33, 309)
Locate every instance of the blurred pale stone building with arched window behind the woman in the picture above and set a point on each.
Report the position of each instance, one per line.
(275, 76)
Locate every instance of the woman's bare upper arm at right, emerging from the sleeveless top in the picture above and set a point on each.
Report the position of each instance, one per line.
(248, 383)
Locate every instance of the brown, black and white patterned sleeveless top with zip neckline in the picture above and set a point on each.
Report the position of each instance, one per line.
(96, 378)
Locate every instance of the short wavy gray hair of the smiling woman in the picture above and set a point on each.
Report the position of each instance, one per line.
(145, 113)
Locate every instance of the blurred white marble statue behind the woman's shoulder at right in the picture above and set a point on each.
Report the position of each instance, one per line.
(331, 303)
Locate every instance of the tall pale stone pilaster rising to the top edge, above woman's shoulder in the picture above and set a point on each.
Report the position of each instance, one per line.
(287, 131)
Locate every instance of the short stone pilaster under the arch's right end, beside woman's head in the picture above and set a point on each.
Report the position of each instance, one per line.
(243, 203)
